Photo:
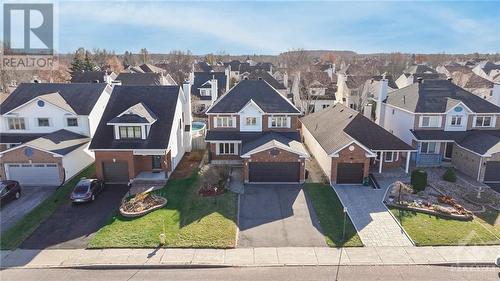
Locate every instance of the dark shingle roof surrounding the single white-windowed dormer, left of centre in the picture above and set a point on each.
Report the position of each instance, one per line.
(160, 100)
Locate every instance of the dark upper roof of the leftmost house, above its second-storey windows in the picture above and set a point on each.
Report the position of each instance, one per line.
(81, 97)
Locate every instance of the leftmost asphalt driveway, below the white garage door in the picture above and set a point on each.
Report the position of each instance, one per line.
(31, 197)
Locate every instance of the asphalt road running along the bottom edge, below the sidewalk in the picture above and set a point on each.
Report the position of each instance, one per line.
(386, 273)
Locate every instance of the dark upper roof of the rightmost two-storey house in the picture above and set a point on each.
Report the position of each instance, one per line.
(432, 96)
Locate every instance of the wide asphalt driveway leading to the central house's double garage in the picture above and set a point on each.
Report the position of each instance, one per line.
(277, 216)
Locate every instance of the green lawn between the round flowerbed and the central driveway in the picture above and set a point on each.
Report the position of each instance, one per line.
(188, 221)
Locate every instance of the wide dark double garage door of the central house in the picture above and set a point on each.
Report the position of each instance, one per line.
(274, 172)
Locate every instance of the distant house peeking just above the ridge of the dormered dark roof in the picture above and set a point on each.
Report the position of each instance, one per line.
(145, 79)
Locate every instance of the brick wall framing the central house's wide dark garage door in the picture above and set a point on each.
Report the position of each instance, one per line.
(265, 156)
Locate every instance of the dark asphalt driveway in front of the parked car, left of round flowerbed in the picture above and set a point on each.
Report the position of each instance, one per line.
(73, 226)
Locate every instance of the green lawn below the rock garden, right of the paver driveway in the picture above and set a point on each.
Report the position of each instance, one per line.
(428, 230)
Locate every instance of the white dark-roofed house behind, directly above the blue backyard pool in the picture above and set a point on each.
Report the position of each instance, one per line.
(207, 88)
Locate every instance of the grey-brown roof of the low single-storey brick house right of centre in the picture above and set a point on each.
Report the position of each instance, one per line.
(338, 126)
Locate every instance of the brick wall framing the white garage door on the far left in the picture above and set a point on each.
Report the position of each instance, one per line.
(17, 156)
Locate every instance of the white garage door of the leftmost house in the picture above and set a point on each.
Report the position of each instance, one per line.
(34, 174)
